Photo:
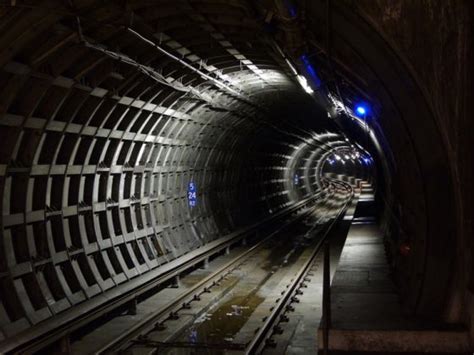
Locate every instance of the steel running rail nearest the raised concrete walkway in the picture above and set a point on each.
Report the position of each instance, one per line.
(265, 332)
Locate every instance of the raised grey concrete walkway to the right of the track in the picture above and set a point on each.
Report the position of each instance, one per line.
(366, 313)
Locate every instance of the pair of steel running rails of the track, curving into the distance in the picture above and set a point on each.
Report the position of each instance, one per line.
(138, 335)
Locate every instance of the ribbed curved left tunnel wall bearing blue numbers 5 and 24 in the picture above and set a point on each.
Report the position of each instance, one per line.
(97, 156)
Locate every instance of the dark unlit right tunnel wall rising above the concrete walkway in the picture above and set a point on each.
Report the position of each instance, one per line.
(377, 41)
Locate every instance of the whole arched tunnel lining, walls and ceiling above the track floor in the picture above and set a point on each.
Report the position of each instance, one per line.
(137, 134)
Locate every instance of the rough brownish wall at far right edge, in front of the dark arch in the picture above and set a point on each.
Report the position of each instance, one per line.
(442, 33)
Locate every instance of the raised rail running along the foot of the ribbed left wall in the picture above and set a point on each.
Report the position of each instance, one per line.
(37, 338)
